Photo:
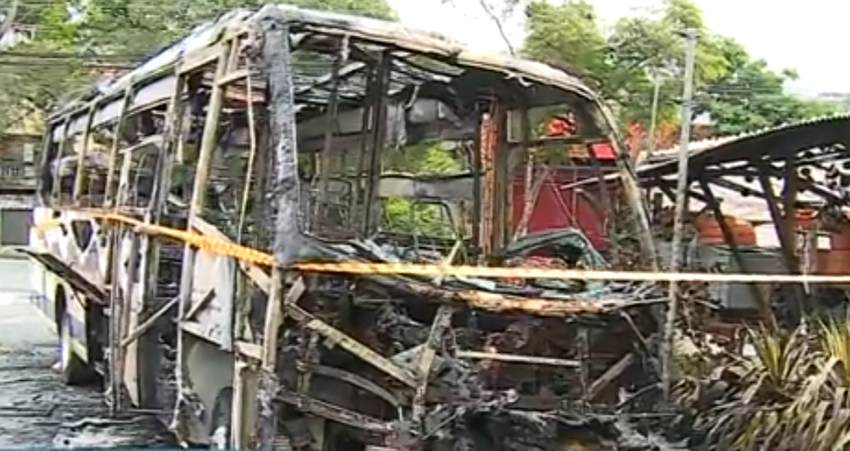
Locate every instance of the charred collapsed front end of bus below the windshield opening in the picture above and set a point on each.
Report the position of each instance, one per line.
(508, 352)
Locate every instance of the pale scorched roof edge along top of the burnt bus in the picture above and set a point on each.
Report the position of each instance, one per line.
(154, 81)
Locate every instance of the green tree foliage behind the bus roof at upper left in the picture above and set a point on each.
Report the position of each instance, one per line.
(69, 37)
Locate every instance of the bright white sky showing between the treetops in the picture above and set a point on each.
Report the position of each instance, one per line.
(803, 35)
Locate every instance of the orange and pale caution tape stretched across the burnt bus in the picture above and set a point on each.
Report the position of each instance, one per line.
(230, 249)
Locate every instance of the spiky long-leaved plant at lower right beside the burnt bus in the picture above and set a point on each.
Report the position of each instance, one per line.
(793, 394)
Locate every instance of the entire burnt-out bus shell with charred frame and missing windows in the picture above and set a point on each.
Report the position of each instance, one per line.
(279, 130)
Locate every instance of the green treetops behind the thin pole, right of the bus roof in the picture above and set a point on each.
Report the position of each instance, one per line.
(738, 91)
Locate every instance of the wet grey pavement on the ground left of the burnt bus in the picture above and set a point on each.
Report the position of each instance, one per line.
(36, 408)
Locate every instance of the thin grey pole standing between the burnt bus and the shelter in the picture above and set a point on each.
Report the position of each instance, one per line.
(681, 207)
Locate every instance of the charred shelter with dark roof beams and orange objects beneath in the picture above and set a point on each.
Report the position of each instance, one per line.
(775, 202)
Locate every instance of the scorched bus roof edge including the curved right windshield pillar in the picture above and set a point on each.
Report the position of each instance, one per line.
(155, 80)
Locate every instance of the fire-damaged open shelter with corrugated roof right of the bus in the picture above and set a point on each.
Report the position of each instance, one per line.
(791, 182)
